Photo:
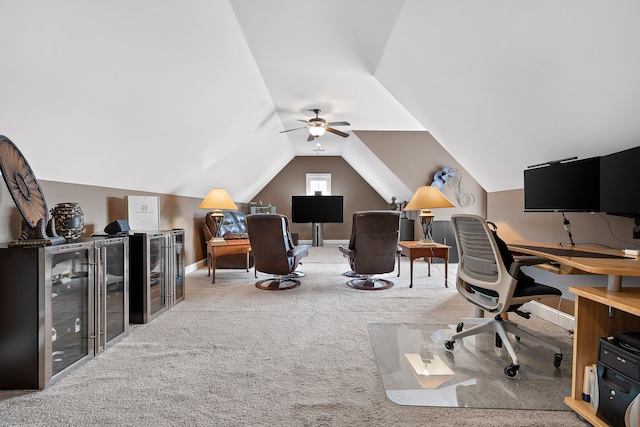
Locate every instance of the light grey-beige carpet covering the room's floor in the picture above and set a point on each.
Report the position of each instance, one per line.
(233, 355)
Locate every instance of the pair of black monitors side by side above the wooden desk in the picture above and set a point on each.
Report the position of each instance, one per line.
(596, 184)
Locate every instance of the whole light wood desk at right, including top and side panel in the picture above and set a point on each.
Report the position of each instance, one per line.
(594, 318)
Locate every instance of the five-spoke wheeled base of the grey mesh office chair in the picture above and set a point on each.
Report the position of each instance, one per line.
(501, 328)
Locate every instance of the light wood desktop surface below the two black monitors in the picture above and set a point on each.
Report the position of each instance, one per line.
(592, 259)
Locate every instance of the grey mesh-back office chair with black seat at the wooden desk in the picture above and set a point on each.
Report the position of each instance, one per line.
(487, 282)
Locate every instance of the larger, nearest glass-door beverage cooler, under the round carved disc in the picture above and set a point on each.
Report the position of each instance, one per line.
(59, 306)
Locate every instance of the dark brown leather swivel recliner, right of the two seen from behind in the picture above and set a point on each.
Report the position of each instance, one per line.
(372, 248)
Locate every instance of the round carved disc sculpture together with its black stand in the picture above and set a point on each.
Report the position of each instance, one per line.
(28, 197)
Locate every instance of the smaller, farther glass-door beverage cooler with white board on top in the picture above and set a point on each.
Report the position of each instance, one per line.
(156, 262)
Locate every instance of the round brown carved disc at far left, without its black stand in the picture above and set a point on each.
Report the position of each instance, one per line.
(22, 183)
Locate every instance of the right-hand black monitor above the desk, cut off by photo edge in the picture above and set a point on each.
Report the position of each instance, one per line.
(618, 178)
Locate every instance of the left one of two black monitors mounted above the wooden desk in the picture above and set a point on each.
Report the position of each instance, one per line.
(563, 187)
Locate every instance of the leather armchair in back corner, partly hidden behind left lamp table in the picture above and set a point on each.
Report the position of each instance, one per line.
(234, 226)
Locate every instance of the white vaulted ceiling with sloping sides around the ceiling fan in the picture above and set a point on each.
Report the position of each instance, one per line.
(178, 97)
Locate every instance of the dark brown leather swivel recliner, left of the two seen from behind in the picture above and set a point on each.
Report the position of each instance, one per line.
(274, 251)
